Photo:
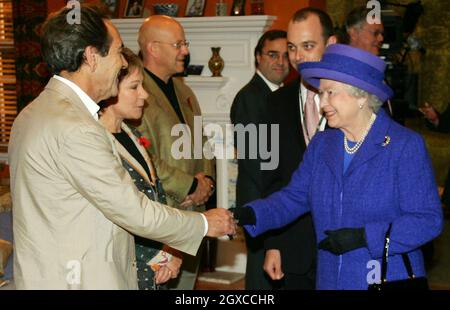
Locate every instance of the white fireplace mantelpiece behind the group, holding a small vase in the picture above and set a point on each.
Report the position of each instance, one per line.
(237, 36)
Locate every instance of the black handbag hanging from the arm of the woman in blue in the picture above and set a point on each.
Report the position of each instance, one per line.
(411, 283)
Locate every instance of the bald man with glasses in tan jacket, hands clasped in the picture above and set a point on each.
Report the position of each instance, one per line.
(188, 182)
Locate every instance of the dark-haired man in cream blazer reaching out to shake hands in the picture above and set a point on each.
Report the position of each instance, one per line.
(74, 205)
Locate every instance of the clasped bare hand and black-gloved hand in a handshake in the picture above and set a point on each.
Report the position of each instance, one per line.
(224, 222)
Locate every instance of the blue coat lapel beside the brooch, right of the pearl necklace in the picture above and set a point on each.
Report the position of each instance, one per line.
(373, 143)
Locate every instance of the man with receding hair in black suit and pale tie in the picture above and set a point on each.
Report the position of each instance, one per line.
(291, 251)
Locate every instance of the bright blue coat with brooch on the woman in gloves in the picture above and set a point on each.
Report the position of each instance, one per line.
(385, 183)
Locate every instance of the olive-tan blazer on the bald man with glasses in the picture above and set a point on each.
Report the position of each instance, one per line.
(157, 122)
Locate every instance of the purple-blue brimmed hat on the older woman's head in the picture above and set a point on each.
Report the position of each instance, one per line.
(348, 65)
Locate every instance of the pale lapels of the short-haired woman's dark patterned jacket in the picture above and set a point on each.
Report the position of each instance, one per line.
(125, 155)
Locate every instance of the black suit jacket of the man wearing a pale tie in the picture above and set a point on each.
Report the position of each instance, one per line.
(296, 241)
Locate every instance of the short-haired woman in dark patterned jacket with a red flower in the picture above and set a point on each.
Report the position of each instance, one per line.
(154, 263)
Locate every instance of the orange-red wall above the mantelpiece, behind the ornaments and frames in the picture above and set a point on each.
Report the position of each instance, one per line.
(283, 9)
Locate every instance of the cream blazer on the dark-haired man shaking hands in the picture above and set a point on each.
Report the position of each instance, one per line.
(74, 204)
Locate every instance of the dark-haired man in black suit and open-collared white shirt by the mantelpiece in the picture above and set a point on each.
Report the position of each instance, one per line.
(249, 109)
